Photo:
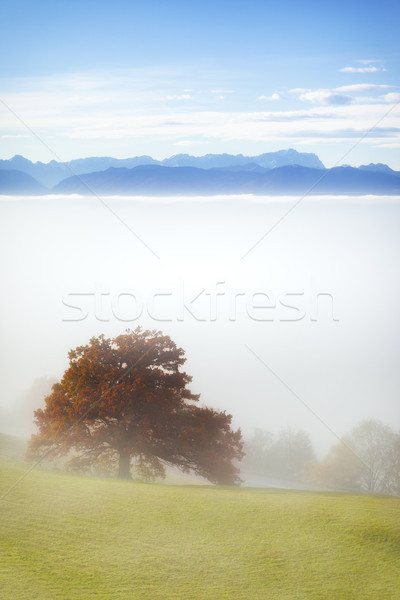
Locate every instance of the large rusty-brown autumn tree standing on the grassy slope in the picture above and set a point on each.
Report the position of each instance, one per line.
(126, 401)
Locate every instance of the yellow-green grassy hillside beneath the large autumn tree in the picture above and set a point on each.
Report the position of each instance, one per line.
(66, 537)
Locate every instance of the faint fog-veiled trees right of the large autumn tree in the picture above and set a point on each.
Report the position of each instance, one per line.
(366, 460)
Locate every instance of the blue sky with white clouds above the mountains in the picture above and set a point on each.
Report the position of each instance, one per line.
(128, 78)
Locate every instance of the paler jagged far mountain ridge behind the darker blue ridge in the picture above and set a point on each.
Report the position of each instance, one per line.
(49, 174)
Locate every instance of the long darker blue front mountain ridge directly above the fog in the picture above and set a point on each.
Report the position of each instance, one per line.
(291, 179)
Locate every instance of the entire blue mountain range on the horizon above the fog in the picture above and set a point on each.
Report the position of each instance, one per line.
(282, 172)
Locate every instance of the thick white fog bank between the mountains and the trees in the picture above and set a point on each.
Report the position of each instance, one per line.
(288, 310)
